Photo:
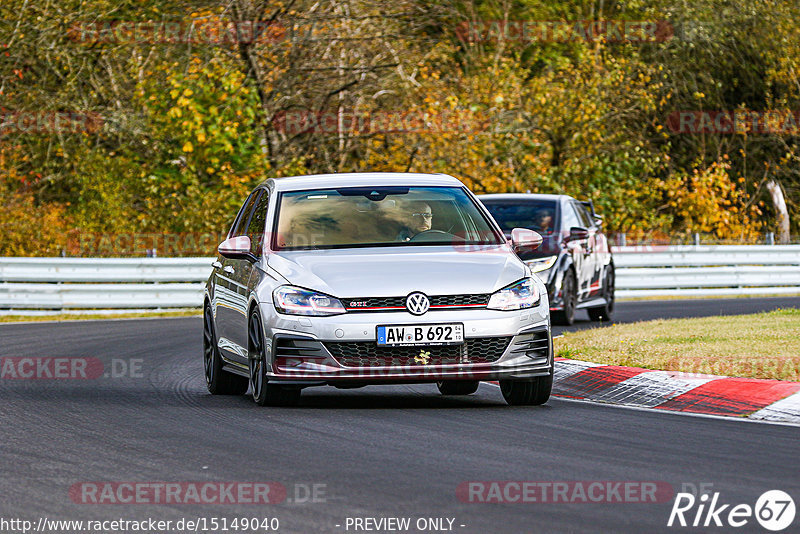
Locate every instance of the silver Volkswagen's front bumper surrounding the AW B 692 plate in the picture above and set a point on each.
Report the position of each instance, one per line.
(342, 350)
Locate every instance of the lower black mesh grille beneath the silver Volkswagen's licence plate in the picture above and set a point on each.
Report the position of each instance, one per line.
(369, 354)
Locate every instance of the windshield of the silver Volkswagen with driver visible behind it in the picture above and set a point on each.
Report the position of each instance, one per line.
(380, 216)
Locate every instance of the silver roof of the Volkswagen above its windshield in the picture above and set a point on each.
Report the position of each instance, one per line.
(361, 179)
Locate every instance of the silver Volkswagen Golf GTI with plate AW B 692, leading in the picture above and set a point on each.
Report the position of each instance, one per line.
(373, 278)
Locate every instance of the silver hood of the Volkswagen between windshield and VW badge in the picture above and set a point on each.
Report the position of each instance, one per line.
(390, 272)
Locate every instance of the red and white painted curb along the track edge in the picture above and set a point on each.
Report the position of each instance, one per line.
(766, 400)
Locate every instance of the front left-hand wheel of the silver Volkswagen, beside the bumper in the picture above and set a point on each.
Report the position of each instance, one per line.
(264, 393)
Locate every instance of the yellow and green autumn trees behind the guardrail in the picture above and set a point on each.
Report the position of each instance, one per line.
(189, 127)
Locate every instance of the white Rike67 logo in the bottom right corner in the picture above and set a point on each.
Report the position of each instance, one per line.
(774, 510)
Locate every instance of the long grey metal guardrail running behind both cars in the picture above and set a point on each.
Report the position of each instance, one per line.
(78, 285)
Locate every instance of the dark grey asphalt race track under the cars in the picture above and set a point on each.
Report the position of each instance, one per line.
(389, 451)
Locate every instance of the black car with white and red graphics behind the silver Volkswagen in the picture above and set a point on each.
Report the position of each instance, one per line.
(574, 259)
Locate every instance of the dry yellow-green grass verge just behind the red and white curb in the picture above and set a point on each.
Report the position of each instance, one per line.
(762, 345)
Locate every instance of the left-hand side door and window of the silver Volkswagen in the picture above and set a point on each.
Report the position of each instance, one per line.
(231, 293)
